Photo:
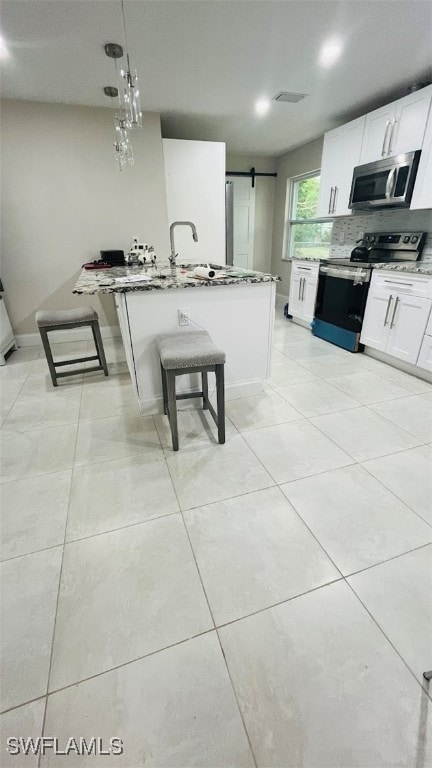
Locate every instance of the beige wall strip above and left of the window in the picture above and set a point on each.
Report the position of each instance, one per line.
(301, 160)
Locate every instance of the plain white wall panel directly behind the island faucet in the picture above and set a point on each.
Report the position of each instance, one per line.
(195, 188)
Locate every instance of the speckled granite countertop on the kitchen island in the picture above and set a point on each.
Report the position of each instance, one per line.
(93, 281)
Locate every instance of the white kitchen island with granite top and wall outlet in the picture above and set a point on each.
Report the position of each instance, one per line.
(236, 308)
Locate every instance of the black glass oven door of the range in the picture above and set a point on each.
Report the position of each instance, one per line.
(341, 296)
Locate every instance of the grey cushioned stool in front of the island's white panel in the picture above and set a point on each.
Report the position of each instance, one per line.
(192, 352)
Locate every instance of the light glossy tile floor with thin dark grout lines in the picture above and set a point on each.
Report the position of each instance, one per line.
(264, 603)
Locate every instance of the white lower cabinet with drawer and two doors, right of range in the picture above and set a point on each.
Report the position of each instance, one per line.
(397, 312)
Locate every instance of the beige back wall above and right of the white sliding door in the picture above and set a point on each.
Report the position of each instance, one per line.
(264, 204)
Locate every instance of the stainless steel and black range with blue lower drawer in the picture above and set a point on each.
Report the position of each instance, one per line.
(343, 284)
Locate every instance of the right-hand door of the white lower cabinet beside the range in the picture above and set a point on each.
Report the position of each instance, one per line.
(407, 326)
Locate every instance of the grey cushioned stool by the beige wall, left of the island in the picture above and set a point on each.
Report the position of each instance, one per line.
(71, 318)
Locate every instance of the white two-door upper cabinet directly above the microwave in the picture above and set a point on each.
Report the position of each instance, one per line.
(397, 128)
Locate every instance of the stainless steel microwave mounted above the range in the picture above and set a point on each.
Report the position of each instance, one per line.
(386, 183)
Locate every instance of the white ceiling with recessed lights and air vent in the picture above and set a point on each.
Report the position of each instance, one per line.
(203, 63)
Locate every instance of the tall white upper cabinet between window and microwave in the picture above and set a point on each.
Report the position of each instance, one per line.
(341, 153)
